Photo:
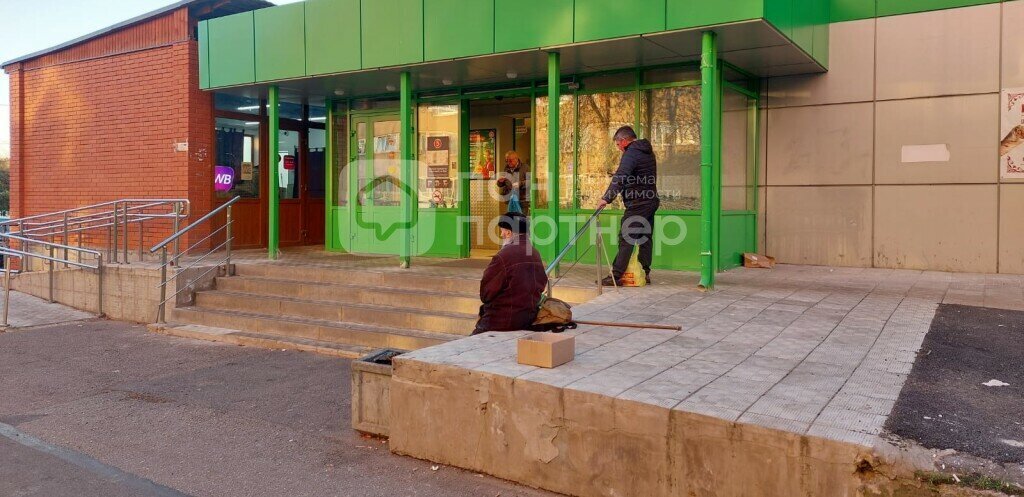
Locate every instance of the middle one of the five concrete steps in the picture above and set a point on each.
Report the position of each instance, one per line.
(387, 316)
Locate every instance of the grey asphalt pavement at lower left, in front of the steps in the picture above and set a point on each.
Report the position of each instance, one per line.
(103, 408)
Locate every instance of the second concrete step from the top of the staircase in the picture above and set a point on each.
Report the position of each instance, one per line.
(344, 294)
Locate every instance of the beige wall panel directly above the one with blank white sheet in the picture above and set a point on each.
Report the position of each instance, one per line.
(945, 53)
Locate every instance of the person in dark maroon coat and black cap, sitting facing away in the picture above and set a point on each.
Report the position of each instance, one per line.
(513, 284)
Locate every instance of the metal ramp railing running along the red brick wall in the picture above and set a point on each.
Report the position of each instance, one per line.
(109, 223)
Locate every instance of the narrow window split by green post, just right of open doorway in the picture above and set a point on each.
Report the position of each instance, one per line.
(567, 157)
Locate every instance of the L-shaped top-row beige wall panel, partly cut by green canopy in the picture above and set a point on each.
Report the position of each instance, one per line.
(850, 76)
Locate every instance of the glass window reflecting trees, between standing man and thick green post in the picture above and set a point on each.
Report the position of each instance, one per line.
(671, 120)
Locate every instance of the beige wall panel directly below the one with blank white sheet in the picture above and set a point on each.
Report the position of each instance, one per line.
(941, 228)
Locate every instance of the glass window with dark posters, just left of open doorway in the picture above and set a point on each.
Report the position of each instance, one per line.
(439, 156)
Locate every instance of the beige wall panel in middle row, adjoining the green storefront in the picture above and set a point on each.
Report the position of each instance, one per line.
(823, 145)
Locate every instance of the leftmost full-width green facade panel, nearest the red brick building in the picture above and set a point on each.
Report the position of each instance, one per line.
(232, 43)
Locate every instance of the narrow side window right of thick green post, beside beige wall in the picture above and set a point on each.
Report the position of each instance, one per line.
(738, 152)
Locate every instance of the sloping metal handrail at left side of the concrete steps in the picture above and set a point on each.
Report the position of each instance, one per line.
(174, 239)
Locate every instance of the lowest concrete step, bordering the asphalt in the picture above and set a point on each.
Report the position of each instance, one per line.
(225, 336)
